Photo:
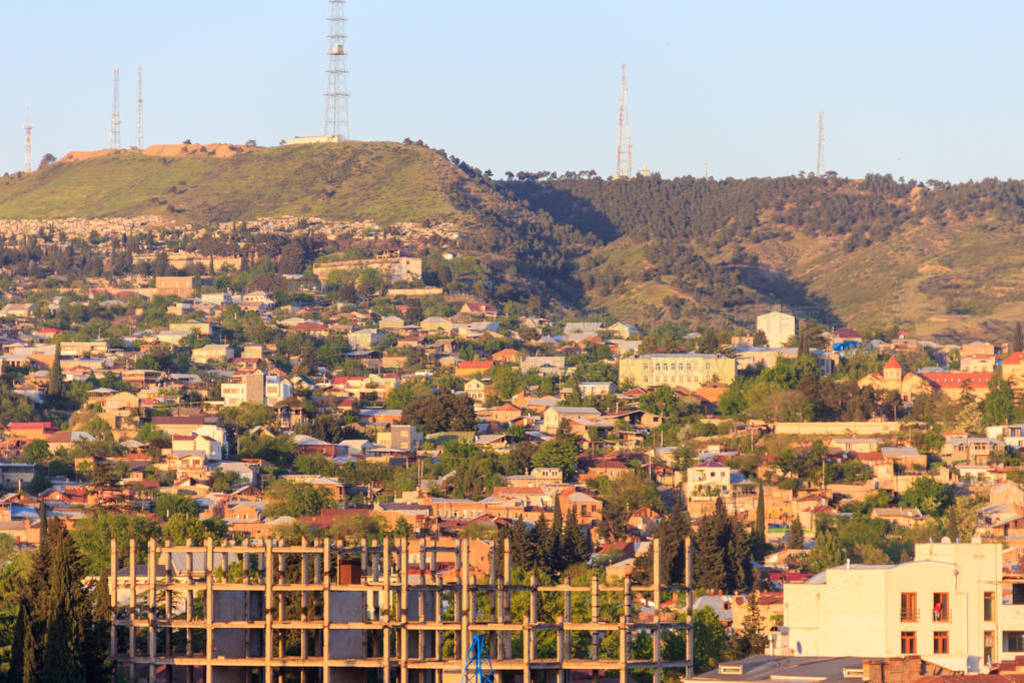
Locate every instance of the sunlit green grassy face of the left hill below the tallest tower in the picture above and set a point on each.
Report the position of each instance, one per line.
(381, 182)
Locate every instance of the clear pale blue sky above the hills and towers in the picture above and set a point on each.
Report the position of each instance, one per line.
(920, 90)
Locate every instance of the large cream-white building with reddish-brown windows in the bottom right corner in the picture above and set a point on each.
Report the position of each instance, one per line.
(954, 605)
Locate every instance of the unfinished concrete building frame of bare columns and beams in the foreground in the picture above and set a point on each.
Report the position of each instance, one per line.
(257, 613)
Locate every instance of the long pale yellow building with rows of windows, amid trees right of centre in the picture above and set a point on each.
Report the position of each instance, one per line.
(689, 371)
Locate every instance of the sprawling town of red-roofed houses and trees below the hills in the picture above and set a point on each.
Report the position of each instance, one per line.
(185, 391)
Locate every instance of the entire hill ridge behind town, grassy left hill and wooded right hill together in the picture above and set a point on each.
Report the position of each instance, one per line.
(931, 259)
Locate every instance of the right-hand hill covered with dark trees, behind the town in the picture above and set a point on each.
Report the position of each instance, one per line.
(935, 259)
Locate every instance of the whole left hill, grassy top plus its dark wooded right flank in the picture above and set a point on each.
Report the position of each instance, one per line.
(383, 183)
